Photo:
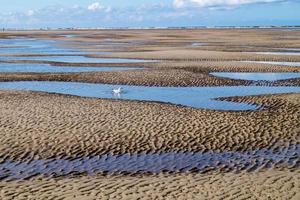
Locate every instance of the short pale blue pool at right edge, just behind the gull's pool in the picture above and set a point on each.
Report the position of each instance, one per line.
(257, 76)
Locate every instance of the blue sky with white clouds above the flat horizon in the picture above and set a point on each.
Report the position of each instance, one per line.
(147, 13)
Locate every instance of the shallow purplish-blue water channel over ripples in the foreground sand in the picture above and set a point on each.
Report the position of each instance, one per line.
(153, 163)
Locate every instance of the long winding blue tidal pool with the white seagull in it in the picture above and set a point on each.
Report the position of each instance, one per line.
(197, 97)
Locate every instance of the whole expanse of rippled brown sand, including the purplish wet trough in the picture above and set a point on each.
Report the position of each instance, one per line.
(46, 128)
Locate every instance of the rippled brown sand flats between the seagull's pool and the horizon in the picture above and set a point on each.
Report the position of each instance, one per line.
(180, 63)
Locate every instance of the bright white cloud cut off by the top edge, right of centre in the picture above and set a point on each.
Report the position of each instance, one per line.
(217, 3)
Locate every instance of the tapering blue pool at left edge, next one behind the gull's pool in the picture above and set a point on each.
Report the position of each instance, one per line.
(45, 68)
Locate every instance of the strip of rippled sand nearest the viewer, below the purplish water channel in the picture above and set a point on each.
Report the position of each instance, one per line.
(275, 184)
